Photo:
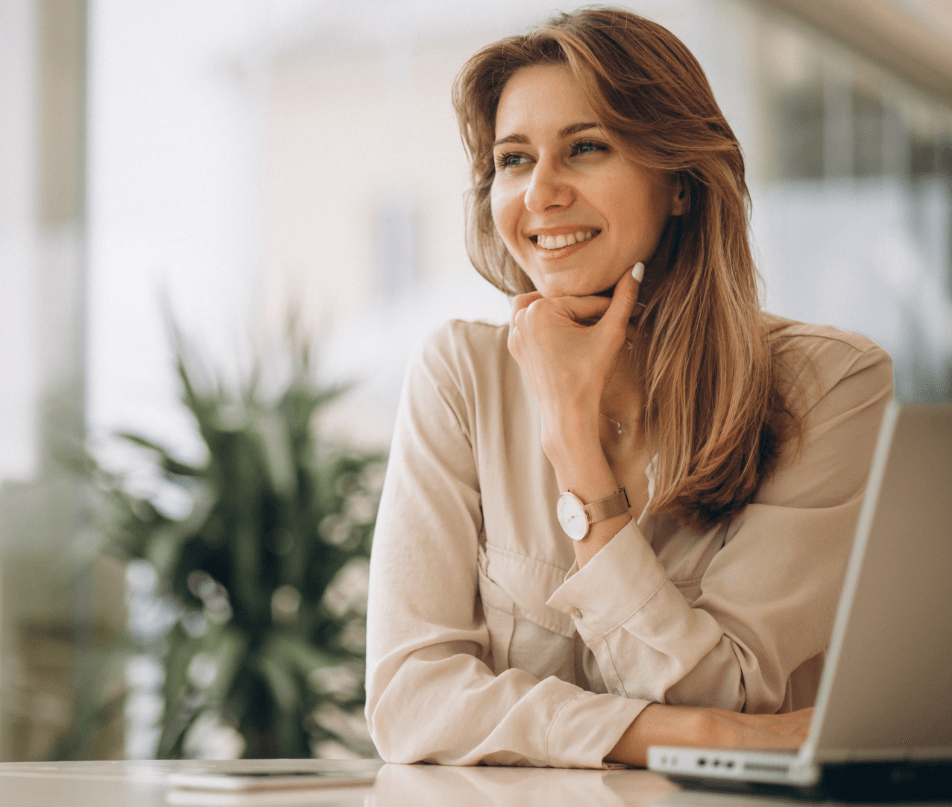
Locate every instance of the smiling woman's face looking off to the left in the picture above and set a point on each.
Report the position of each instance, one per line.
(574, 212)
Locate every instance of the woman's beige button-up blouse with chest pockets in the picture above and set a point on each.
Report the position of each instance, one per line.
(486, 643)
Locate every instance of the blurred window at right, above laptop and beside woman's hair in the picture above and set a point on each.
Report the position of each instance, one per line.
(857, 219)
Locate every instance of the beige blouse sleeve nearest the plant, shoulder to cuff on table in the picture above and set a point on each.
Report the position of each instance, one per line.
(430, 694)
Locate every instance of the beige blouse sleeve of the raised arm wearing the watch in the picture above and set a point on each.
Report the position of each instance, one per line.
(764, 603)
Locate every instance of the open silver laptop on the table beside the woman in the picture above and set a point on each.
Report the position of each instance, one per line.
(882, 724)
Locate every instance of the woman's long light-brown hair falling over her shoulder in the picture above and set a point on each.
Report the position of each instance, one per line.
(714, 414)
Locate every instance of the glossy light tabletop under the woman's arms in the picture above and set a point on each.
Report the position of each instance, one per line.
(143, 784)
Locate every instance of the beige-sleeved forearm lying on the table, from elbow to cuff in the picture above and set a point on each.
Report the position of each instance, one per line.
(451, 710)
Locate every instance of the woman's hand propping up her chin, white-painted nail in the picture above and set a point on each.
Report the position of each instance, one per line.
(567, 360)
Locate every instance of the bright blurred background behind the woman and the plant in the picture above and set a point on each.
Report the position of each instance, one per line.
(252, 169)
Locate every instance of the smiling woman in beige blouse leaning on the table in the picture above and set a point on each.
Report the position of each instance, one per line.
(623, 519)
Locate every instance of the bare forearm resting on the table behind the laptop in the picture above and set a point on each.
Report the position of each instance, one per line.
(706, 727)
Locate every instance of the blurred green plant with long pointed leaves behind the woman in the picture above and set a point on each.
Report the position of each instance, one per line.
(246, 576)
